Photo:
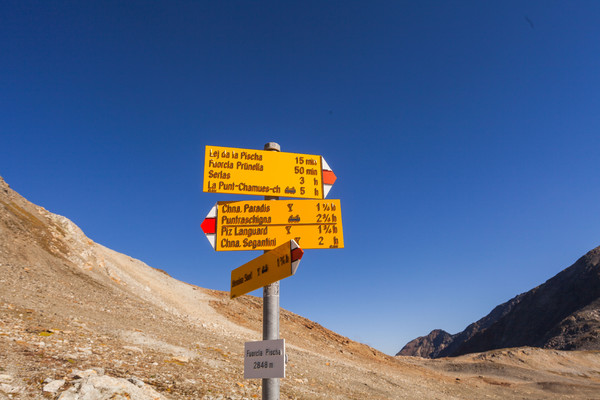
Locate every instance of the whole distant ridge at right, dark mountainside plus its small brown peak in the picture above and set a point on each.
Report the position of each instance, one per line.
(563, 314)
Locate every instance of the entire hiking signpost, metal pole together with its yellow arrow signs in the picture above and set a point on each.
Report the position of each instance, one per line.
(279, 227)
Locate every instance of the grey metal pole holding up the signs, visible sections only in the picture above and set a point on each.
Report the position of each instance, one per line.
(270, 386)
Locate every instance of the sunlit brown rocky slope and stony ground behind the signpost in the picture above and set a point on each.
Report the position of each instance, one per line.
(80, 321)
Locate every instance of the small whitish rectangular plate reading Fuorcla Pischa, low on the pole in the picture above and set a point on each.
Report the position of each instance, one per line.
(264, 359)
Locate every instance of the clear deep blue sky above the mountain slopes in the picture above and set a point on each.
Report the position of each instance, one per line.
(465, 137)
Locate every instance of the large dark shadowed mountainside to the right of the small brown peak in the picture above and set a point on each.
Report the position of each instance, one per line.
(549, 315)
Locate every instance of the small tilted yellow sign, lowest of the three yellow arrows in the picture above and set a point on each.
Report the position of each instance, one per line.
(270, 267)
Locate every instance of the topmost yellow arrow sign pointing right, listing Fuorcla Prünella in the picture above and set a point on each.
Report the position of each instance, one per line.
(266, 173)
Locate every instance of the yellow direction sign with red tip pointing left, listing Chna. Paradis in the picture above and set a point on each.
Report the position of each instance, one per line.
(265, 224)
